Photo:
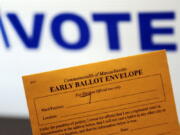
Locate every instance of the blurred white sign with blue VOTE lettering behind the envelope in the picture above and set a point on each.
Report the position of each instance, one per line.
(43, 35)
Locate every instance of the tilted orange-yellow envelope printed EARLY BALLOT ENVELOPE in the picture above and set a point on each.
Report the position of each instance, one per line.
(126, 96)
